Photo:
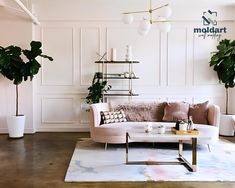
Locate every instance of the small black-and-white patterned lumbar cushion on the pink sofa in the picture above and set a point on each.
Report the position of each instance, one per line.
(112, 117)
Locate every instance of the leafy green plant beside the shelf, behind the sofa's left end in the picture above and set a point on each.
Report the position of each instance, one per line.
(97, 89)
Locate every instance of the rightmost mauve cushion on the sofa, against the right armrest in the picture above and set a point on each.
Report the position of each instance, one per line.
(199, 112)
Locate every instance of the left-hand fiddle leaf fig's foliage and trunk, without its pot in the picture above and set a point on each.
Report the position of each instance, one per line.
(19, 65)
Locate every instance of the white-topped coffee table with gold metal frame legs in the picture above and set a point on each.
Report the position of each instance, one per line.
(134, 136)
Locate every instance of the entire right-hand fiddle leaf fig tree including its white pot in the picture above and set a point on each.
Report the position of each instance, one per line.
(223, 62)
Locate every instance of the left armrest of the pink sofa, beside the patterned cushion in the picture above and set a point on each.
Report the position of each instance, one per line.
(95, 110)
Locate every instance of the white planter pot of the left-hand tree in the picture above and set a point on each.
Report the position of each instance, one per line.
(16, 126)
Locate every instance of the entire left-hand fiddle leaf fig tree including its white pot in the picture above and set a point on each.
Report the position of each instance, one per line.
(18, 65)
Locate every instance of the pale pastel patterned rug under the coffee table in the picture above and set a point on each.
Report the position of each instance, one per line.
(91, 163)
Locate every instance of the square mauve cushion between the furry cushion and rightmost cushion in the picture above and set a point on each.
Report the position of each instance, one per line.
(176, 111)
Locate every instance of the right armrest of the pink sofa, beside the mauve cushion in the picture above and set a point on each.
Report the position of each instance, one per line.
(213, 115)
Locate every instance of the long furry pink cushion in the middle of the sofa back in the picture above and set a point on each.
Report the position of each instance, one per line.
(142, 111)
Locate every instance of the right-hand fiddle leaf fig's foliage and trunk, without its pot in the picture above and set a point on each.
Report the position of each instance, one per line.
(223, 62)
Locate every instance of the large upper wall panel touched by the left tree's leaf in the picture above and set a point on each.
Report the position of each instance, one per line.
(58, 42)
